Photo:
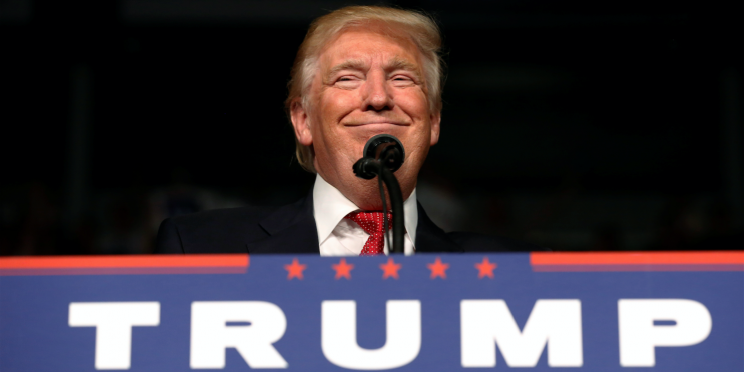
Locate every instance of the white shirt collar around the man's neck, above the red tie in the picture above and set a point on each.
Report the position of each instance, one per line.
(330, 206)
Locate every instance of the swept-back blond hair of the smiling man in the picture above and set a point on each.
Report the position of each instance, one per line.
(420, 28)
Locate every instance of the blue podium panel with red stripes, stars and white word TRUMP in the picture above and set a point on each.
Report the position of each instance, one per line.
(539, 311)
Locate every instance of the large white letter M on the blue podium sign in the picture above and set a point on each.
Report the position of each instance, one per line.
(485, 324)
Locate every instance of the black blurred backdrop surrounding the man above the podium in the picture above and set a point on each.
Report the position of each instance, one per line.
(612, 125)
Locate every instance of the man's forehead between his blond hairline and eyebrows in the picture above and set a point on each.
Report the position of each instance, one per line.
(368, 45)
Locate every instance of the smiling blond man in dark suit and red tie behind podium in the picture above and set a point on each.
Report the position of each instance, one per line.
(361, 71)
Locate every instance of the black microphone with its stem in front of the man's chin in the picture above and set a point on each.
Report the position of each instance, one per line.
(383, 154)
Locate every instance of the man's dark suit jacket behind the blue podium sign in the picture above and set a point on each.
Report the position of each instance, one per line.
(291, 229)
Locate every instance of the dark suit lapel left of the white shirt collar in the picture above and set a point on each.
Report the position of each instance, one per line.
(291, 229)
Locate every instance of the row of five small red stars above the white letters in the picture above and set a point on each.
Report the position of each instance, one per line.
(390, 269)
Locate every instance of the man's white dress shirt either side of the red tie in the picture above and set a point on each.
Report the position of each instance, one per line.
(339, 236)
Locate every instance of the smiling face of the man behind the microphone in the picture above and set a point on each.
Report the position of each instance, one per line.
(367, 83)
